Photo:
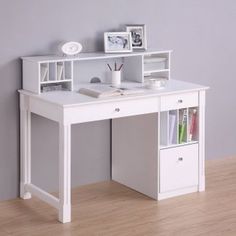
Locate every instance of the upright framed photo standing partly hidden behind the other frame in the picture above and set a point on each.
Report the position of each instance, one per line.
(138, 34)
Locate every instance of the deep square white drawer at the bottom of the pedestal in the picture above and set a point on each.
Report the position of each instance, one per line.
(178, 167)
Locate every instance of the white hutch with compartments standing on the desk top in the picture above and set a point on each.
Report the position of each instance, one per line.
(43, 72)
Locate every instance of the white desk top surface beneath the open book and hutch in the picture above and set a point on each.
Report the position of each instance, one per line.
(73, 98)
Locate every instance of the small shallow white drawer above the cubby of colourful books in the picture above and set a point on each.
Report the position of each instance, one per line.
(178, 101)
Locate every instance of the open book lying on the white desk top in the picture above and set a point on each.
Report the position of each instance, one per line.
(103, 91)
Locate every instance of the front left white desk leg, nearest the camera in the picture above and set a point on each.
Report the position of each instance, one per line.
(65, 173)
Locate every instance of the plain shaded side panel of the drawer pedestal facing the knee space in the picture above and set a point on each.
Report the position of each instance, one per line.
(134, 153)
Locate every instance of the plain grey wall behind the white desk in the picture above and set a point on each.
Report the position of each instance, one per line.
(201, 33)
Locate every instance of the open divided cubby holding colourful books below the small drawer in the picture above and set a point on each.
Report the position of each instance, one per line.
(179, 127)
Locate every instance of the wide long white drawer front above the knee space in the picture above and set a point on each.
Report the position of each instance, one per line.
(111, 110)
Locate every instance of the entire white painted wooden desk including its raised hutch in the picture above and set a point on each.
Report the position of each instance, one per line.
(139, 161)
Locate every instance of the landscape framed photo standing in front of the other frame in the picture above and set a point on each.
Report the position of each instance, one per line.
(116, 42)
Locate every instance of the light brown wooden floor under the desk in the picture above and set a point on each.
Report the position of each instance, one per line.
(111, 209)
